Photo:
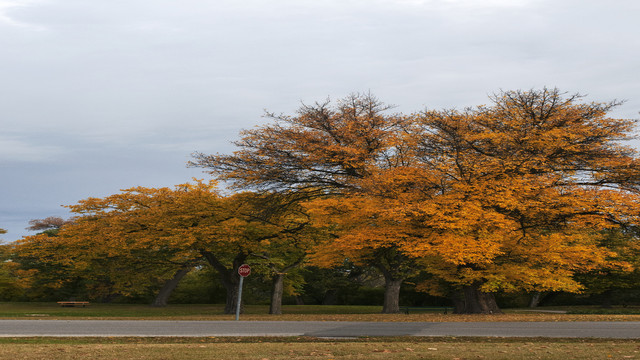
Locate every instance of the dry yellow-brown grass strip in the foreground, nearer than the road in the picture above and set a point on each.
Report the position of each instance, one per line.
(310, 348)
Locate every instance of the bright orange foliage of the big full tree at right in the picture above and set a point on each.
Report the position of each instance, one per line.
(512, 196)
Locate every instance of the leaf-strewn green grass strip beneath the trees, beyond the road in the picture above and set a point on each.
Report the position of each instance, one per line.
(10, 310)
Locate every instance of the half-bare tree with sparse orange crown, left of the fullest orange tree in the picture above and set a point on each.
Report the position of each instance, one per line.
(325, 150)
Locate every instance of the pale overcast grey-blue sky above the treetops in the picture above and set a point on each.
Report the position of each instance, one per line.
(99, 96)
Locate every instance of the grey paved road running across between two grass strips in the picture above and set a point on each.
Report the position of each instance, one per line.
(13, 328)
